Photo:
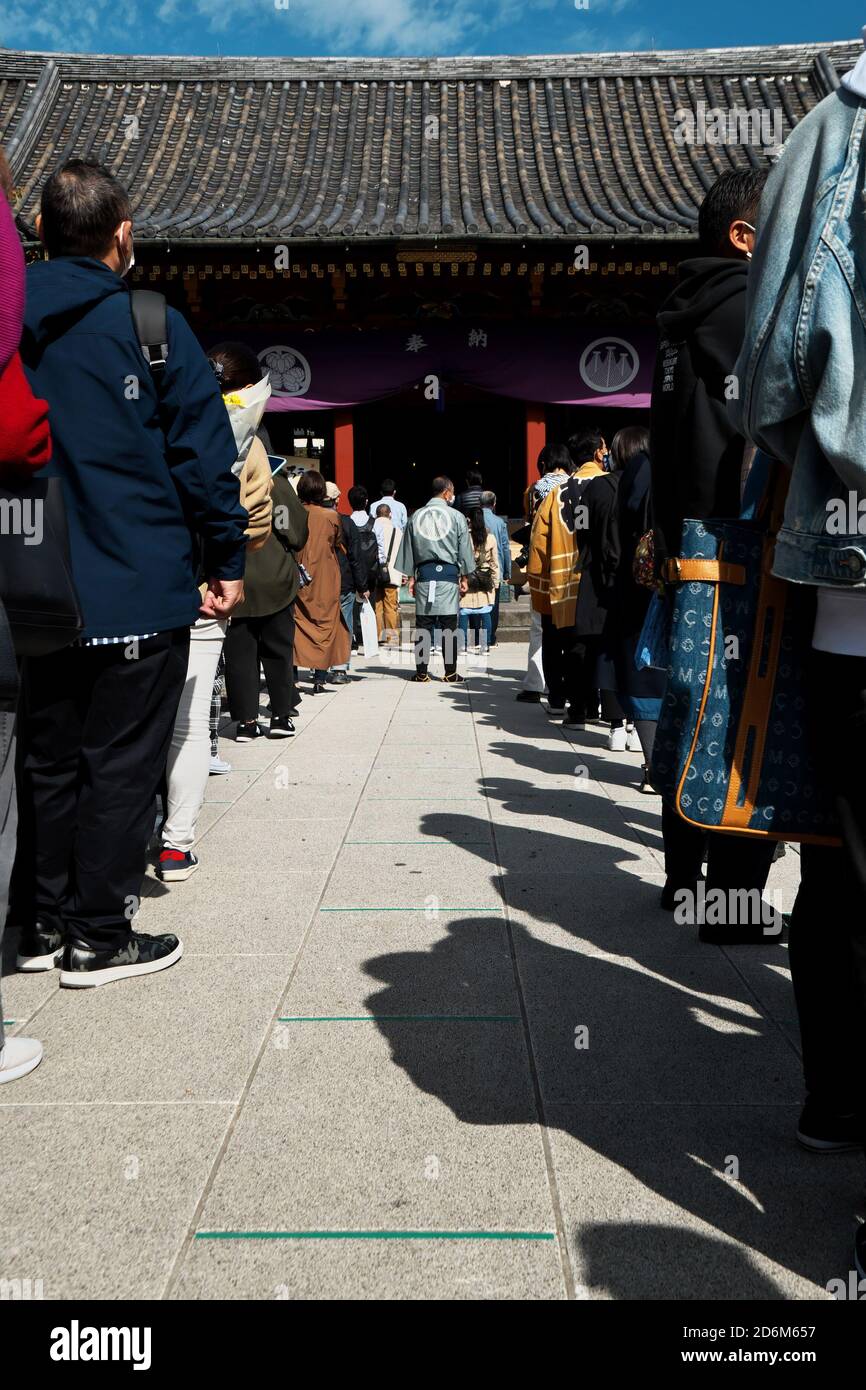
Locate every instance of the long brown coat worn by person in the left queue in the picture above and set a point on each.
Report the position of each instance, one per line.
(322, 639)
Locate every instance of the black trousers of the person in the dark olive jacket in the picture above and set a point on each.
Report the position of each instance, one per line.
(268, 643)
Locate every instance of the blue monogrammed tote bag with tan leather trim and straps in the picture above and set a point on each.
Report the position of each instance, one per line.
(732, 750)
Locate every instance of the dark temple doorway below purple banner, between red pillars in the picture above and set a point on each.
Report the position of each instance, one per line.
(412, 440)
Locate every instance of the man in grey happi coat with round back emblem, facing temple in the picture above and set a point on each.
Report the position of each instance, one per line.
(437, 553)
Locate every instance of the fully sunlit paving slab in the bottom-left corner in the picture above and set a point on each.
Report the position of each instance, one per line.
(104, 1195)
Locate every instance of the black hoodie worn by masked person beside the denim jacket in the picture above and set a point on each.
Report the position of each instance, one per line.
(697, 457)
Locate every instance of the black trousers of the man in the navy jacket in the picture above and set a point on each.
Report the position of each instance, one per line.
(95, 730)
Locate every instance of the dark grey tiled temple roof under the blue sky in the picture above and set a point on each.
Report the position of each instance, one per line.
(358, 149)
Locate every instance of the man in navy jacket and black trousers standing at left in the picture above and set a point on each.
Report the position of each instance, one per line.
(145, 466)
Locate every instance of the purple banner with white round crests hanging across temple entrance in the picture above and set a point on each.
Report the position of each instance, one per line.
(561, 363)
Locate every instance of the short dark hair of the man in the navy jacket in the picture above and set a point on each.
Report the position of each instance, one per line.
(83, 205)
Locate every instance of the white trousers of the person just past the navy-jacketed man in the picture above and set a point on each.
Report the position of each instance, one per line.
(188, 767)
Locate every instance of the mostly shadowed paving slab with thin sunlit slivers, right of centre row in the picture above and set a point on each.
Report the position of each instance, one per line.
(680, 1029)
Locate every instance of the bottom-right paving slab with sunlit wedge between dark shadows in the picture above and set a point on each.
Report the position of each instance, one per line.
(700, 1202)
